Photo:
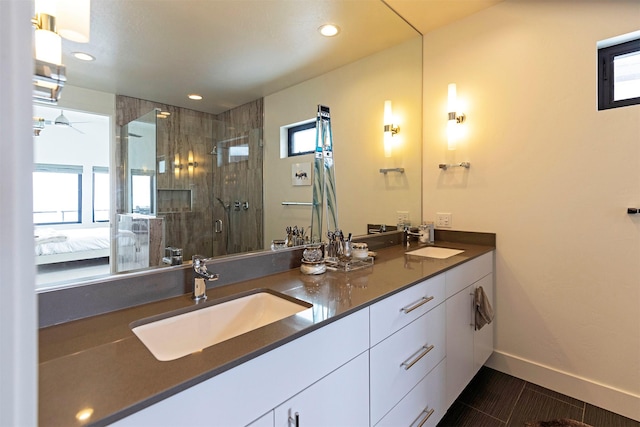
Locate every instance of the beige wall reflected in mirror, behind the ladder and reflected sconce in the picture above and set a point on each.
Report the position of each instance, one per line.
(355, 94)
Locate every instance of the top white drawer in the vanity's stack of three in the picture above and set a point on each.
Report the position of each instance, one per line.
(397, 311)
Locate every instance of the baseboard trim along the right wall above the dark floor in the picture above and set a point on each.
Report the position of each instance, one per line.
(615, 400)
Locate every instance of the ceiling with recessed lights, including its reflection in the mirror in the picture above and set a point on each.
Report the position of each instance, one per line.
(235, 51)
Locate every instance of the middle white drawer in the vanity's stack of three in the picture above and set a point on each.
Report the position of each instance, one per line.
(399, 362)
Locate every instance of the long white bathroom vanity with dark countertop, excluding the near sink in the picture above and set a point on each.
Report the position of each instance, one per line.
(391, 344)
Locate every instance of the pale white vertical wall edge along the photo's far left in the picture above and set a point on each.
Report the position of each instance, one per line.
(18, 315)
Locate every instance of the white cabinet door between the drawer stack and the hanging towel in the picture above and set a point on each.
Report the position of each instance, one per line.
(460, 321)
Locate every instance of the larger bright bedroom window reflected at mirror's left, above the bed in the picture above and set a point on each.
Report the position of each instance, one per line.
(57, 194)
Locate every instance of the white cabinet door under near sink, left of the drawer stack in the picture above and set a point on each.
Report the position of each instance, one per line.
(339, 399)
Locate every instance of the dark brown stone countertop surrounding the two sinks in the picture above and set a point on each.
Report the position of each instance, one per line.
(99, 363)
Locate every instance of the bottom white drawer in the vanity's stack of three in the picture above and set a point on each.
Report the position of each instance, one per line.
(424, 404)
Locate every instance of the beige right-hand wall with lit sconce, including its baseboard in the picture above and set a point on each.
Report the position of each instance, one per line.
(552, 176)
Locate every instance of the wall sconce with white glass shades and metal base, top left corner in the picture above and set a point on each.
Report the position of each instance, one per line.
(55, 19)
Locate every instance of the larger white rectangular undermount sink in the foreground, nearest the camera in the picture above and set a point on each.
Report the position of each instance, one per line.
(177, 334)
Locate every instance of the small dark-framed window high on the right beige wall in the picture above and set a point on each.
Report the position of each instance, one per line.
(619, 75)
